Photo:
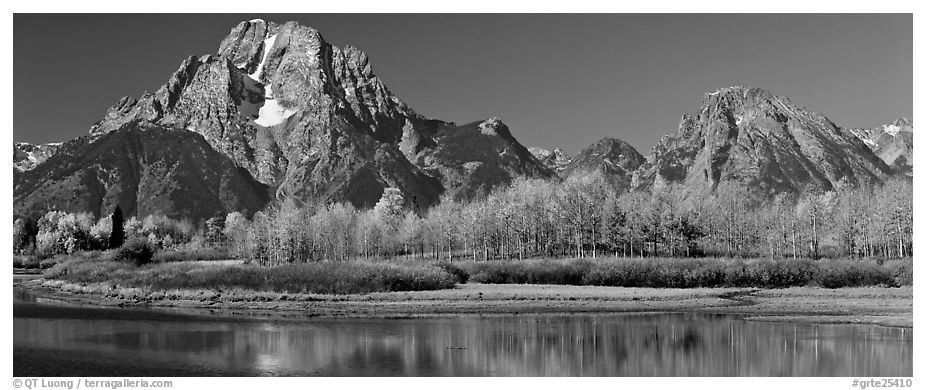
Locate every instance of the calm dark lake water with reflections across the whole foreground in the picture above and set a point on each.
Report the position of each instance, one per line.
(684, 344)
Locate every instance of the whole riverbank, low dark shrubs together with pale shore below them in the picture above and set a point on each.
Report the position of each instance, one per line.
(772, 290)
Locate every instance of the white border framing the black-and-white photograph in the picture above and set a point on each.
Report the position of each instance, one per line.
(478, 6)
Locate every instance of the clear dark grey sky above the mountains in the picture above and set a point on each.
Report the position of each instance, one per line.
(556, 80)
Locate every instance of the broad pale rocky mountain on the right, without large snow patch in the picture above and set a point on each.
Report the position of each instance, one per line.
(762, 141)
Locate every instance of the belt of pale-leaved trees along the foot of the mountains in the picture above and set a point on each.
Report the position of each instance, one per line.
(579, 217)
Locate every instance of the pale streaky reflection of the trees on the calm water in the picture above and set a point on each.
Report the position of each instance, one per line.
(653, 344)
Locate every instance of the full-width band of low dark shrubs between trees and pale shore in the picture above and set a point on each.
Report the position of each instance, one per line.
(354, 277)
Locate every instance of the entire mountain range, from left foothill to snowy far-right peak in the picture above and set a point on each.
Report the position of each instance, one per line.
(279, 113)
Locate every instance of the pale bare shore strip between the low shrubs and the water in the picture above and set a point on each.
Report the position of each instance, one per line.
(884, 306)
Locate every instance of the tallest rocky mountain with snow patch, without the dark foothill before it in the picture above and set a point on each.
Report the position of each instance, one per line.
(312, 122)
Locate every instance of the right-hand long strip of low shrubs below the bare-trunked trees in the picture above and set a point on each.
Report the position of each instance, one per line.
(689, 273)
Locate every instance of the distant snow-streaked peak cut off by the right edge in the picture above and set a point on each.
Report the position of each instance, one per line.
(892, 142)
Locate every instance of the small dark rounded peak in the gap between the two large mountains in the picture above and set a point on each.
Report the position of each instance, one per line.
(616, 160)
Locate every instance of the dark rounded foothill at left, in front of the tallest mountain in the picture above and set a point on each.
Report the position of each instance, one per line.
(145, 169)
